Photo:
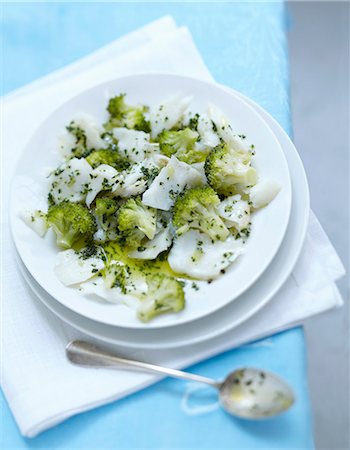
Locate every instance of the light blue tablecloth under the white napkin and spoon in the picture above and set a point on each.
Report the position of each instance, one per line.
(244, 46)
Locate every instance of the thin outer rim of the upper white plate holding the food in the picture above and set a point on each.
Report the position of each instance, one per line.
(200, 315)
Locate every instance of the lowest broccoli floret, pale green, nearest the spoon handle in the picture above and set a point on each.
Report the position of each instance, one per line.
(165, 294)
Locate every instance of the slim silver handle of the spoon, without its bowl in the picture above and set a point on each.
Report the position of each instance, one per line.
(86, 354)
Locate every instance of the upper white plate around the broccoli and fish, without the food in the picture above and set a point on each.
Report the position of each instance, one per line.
(269, 224)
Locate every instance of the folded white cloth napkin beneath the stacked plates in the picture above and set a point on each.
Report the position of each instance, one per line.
(41, 387)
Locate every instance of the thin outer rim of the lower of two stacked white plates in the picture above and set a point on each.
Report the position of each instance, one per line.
(260, 305)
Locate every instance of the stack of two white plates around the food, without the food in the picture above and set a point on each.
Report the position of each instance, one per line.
(272, 250)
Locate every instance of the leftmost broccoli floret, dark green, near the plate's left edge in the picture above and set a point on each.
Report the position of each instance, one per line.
(72, 223)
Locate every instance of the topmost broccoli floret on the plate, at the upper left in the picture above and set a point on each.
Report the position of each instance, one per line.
(123, 115)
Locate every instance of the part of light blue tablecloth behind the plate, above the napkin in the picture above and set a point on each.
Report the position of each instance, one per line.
(243, 44)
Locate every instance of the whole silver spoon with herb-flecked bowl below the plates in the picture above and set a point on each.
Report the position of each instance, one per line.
(247, 393)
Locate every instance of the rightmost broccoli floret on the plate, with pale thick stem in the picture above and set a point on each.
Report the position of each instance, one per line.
(224, 168)
